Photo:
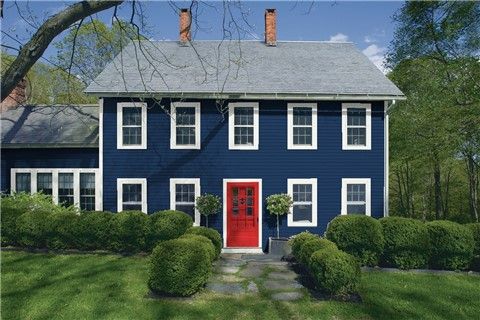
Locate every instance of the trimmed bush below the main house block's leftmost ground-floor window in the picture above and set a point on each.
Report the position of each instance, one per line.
(128, 231)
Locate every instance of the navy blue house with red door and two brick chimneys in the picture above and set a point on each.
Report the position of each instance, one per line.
(239, 119)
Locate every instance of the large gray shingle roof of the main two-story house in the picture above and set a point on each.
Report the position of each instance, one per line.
(322, 68)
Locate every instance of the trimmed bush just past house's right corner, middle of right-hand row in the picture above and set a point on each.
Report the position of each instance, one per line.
(407, 243)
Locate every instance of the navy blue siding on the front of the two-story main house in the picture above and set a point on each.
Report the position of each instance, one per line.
(272, 162)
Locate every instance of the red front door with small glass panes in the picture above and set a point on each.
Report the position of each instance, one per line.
(242, 214)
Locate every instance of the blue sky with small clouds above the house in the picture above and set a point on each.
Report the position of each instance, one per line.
(367, 24)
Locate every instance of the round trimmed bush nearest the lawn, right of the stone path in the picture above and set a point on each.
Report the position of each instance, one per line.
(335, 271)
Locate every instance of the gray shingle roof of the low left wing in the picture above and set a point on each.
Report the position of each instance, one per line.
(50, 126)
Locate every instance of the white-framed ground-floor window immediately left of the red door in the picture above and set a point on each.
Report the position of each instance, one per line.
(183, 193)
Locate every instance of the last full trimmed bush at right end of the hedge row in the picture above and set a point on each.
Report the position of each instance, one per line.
(452, 245)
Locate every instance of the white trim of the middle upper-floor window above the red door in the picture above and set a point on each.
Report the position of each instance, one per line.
(231, 125)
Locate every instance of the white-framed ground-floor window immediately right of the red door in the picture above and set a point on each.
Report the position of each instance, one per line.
(304, 195)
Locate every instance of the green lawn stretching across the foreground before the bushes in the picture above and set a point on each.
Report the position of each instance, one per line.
(47, 286)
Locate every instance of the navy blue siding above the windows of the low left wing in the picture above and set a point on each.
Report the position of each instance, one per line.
(45, 158)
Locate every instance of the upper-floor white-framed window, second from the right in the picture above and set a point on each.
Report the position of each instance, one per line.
(302, 125)
